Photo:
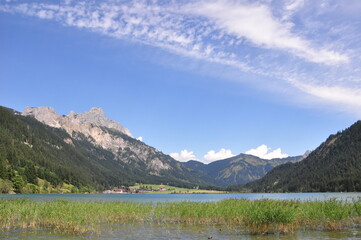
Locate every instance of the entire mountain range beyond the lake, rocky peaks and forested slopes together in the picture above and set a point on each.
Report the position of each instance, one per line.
(42, 151)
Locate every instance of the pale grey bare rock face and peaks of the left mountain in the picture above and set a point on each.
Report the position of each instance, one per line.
(103, 132)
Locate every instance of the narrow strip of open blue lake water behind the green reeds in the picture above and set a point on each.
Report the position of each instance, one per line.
(185, 197)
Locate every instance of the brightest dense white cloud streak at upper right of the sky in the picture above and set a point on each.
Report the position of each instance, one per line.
(256, 23)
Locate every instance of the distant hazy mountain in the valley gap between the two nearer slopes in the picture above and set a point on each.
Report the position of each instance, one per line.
(240, 169)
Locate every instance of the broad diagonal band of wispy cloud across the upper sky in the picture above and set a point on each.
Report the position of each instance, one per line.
(301, 45)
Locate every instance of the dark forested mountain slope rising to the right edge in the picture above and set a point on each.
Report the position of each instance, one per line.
(334, 166)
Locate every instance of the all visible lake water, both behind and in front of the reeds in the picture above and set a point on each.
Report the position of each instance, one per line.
(179, 231)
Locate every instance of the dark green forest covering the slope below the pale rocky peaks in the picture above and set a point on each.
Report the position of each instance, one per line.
(37, 158)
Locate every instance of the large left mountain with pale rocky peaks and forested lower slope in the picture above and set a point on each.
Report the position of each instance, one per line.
(85, 150)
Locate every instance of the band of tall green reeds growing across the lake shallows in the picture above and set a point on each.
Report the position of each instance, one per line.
(261, 216)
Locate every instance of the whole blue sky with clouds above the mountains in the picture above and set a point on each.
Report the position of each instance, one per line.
(202, 80)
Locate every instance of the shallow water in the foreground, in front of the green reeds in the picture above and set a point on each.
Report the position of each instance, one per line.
(178, 231)
